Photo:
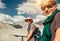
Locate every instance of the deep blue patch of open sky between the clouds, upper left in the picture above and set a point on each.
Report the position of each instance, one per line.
(11, 5)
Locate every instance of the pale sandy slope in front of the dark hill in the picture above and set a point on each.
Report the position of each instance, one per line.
(8, 32)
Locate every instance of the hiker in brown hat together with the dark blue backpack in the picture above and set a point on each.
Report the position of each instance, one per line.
(31, 30)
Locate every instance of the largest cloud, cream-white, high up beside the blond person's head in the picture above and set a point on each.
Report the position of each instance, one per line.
(29, 8)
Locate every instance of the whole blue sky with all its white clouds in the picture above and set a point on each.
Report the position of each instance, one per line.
(12, 11)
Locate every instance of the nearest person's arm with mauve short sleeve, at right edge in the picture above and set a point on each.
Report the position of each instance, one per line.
(57, 22)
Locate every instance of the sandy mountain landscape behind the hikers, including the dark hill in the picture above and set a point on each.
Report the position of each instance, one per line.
(13, 32)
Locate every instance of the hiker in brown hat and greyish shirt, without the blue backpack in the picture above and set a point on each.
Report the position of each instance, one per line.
(31, 29)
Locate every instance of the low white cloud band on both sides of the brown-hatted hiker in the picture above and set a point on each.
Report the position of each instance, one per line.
(19, 18)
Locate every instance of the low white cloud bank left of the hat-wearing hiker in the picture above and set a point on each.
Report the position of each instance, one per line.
(9, 19)
